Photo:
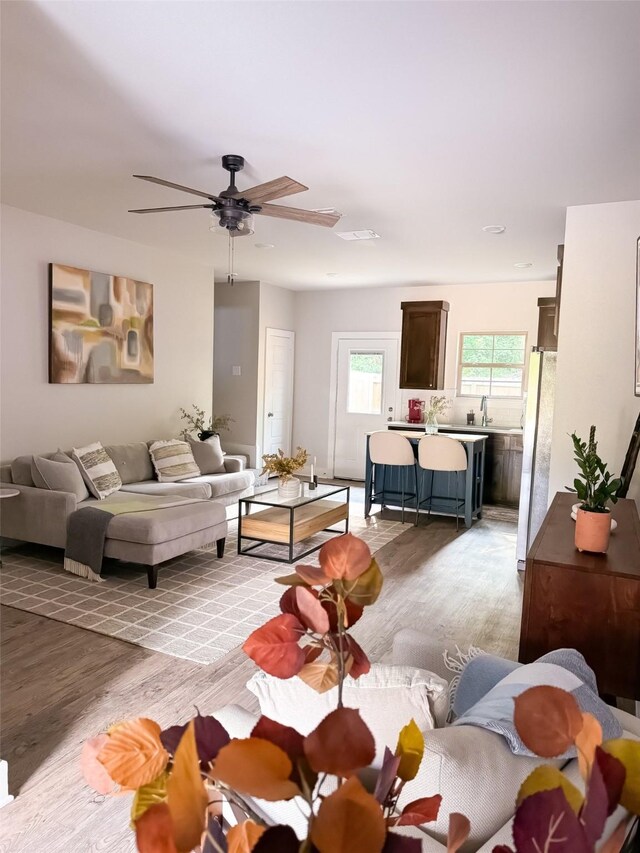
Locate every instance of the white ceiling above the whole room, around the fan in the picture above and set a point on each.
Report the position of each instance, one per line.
(421, 120)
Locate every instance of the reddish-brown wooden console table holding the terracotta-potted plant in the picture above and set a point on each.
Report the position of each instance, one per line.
(590, 602)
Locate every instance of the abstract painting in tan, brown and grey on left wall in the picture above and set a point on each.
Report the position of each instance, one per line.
(101, 328)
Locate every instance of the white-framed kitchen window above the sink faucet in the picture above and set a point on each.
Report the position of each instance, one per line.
(492, 364)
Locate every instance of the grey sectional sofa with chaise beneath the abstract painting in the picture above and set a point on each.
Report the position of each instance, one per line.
(196, 517)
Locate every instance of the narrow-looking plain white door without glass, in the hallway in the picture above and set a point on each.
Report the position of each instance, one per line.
(278, 391)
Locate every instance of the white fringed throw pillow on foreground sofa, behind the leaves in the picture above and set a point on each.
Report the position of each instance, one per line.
(388, 697)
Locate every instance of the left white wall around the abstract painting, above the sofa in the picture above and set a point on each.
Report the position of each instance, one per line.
(38, 417)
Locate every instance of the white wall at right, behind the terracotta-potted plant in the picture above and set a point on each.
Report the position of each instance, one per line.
(596, 337)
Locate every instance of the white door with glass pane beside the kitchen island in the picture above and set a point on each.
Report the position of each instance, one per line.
(367, 396)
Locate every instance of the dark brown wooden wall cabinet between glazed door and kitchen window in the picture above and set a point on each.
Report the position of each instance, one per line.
(424, 336)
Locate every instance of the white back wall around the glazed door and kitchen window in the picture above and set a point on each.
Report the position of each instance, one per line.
(474, 307)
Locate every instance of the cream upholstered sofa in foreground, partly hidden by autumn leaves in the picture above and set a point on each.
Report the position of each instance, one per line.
(472, 768)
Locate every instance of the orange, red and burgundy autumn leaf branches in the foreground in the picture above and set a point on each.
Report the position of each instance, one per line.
(180, 775)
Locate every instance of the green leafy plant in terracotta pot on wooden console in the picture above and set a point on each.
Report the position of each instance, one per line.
(595, 488)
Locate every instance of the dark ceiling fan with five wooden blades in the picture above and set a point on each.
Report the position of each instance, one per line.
(234, 208)
